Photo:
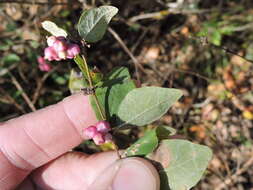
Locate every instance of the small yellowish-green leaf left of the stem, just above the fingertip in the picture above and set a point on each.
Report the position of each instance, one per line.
(76, 82)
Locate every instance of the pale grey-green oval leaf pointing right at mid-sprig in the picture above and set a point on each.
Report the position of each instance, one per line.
(144, 105)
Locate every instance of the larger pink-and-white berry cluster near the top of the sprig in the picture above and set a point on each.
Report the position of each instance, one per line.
(59, 49)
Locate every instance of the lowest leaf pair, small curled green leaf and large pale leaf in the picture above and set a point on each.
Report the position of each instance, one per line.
(180, 163)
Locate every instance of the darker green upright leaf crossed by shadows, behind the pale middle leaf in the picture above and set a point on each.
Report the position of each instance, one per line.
(111, 92)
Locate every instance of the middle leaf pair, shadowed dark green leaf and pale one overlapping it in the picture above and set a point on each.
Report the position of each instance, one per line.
(126, 105)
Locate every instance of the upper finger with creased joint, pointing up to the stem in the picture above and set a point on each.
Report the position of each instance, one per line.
(34, 139)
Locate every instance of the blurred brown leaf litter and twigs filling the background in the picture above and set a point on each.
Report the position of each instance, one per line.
(203, 47)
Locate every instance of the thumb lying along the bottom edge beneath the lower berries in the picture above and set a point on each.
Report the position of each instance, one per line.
(102, 171)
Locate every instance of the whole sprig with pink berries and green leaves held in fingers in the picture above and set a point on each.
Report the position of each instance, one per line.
(118, 104)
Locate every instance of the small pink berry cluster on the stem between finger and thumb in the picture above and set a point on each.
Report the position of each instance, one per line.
(99, 132)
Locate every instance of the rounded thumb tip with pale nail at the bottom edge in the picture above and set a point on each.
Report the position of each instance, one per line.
(126, 174)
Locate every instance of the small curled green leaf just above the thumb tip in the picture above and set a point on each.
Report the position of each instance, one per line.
(147, 144)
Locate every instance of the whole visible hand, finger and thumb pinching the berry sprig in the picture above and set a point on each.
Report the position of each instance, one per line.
(35, 154)
